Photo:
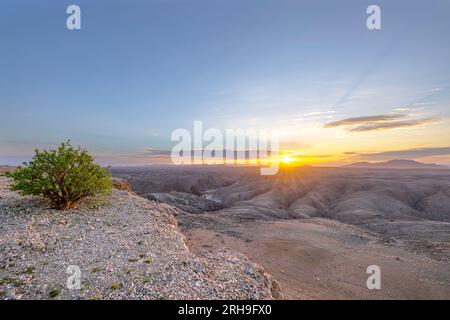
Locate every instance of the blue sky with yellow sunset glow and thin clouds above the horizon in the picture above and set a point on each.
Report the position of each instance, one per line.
(137, 70)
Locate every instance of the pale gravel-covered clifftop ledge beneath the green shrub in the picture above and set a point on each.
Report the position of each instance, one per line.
(126, 248)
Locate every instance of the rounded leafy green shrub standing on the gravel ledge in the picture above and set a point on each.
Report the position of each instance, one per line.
(63, 176)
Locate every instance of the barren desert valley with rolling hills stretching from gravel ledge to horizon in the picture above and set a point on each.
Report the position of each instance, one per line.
(316, 229)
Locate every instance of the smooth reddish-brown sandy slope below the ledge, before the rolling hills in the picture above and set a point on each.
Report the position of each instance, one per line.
(325, 259)
